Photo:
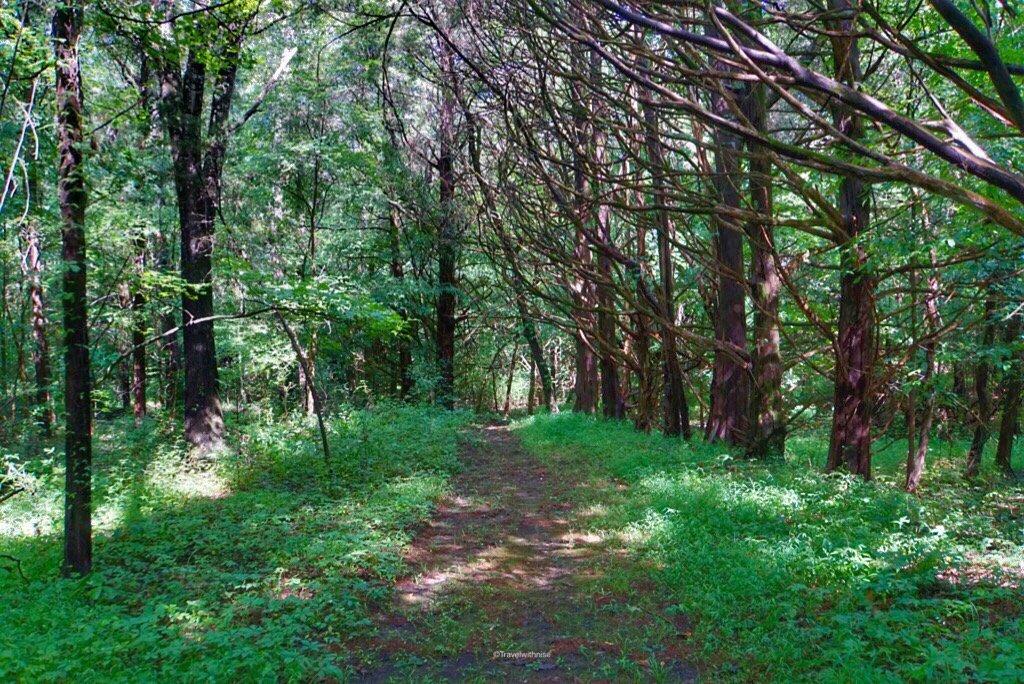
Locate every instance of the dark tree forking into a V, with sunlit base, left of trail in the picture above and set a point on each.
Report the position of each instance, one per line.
(187, 71)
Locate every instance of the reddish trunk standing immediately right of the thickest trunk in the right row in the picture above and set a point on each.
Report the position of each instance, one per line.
(767, 435)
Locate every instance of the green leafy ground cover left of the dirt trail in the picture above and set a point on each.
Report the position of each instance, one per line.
(262, 569)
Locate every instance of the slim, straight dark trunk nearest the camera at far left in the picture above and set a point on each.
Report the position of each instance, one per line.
(78, 382)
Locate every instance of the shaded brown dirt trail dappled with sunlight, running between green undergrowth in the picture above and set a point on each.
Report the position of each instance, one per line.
(499, 584)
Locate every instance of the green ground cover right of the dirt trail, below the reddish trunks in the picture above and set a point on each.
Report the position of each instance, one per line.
(789, 574)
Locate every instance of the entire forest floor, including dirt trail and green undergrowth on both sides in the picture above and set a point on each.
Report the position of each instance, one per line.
(436, 547)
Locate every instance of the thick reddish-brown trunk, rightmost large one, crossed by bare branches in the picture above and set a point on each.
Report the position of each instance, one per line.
(850, 445)
